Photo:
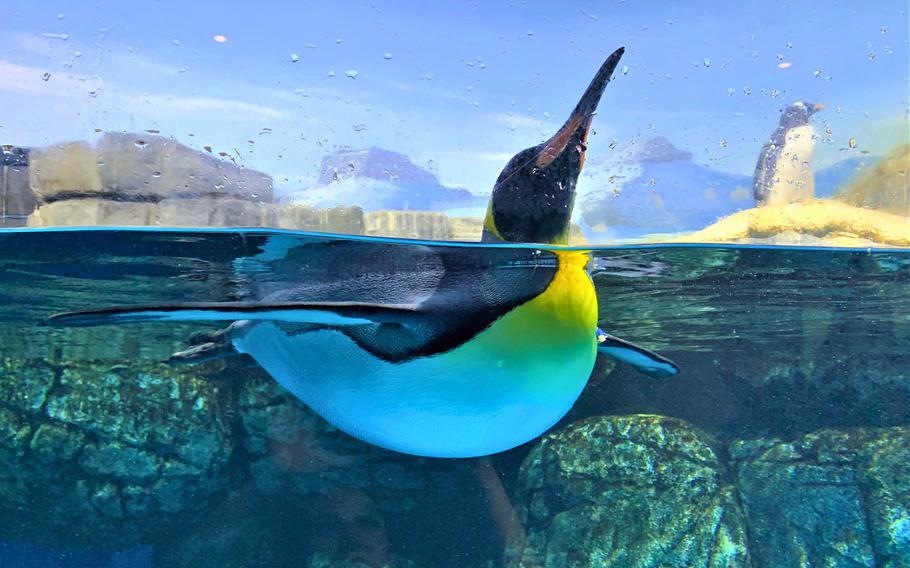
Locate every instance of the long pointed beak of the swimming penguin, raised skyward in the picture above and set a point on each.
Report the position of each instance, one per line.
(576, 129)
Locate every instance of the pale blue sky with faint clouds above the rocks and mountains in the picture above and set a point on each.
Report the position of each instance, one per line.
(458, 86)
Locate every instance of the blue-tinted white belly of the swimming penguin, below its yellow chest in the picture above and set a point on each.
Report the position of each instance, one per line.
(485, 396)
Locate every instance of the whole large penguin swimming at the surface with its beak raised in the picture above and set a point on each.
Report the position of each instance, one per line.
(465, 361)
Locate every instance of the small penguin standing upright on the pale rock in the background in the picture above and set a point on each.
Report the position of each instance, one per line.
(783, 173)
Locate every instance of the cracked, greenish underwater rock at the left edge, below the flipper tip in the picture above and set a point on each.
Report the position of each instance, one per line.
(93, 455)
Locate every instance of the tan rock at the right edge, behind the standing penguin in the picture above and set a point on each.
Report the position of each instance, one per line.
(886, 187)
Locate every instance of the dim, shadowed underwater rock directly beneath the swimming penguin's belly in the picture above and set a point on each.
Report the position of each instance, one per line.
(356, 497)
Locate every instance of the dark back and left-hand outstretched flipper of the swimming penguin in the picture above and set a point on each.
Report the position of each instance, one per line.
(396, 302)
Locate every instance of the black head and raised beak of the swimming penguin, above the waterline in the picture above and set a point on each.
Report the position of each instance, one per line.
(534, 195)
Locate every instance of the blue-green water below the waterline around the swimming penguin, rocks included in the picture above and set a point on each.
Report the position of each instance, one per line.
(784, 437)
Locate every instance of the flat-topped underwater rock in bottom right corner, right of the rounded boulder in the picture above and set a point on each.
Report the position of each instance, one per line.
(830, 498)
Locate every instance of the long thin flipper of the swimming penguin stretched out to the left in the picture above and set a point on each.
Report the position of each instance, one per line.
(340, 314)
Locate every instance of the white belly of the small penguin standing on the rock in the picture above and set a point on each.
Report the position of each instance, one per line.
(793, 178)
